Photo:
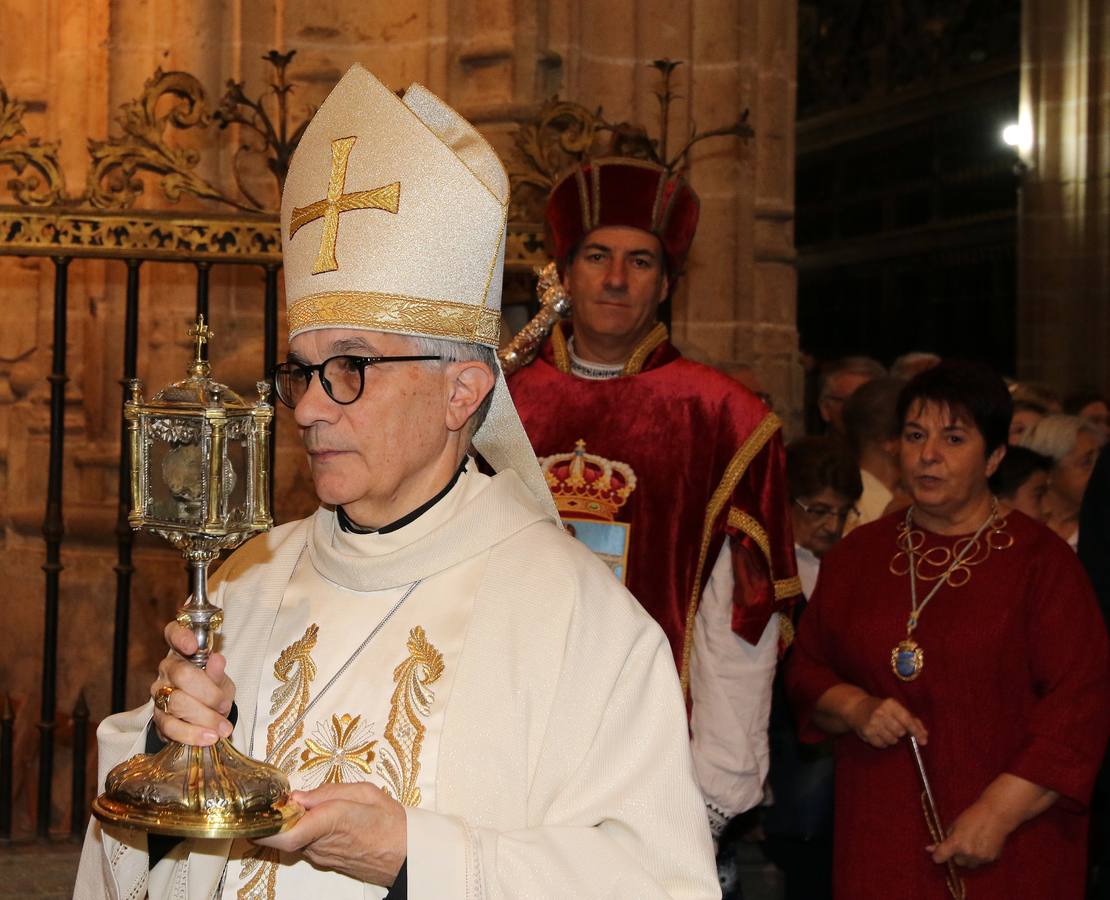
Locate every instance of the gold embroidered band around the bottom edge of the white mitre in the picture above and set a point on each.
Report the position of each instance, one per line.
(395, 314)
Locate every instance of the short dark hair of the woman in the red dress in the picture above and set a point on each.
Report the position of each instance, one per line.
(970, 390)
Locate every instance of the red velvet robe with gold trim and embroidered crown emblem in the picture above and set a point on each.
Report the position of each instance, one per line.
(708, 463)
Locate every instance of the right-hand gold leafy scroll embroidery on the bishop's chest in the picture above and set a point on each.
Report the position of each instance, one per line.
(399, 763)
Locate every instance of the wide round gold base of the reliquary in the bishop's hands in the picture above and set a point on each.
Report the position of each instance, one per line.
(198, 793)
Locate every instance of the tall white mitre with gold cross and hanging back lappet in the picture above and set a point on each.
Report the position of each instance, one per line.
(393, 219)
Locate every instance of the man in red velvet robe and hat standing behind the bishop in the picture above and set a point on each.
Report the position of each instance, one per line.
(672, 472)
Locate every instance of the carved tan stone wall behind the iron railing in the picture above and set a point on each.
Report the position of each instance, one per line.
(77, 62)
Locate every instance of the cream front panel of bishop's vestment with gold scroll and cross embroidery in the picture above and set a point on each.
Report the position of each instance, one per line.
(381, 720)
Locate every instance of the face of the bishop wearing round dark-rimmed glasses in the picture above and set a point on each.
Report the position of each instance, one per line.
(370, 456)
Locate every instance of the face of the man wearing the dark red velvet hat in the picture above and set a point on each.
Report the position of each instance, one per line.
(617, 282)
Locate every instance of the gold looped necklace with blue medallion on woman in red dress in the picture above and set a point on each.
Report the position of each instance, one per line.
(944, 567)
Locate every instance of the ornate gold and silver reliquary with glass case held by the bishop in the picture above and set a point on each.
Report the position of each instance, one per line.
(200, 479)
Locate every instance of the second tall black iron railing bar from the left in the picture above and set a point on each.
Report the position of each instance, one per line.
(125, 539)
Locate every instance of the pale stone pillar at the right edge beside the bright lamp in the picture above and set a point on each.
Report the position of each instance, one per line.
(1064, 287)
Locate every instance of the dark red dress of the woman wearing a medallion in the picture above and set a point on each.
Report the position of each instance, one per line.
(1016, 680)
